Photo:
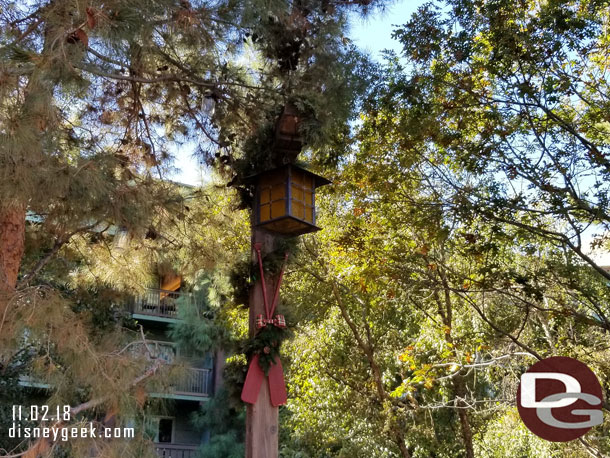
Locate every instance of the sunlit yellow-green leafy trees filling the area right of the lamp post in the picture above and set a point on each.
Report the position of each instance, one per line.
(456, 248)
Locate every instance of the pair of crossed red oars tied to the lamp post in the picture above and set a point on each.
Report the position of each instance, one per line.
(256, 376)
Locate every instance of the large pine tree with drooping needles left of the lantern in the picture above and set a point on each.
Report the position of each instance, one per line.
(93, 97)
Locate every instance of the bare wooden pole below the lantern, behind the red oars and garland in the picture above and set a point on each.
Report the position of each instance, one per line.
(261, 418)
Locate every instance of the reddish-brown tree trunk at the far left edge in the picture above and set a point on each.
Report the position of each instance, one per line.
(12, 243)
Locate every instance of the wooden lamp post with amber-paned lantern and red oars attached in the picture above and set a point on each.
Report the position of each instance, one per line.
(284, 206)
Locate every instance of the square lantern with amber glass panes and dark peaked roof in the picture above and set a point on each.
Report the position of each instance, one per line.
(285, 200)
